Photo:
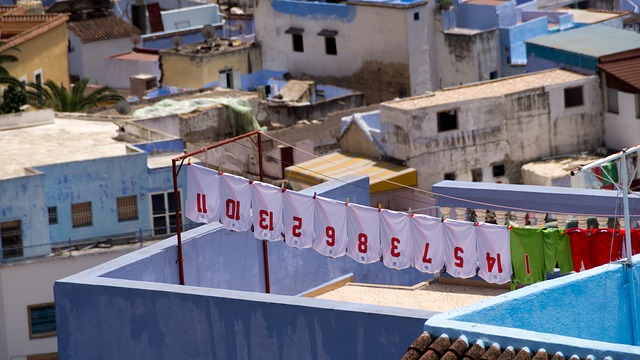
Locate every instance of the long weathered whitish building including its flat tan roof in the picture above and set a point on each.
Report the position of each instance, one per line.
(486, 131)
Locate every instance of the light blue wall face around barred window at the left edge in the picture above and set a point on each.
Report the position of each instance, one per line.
(24, 199)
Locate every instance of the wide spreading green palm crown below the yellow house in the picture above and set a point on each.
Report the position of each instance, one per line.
(58, 98)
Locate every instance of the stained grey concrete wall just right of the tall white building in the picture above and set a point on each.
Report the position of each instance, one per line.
(468, 57)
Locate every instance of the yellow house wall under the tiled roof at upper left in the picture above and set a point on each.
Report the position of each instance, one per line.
(46, 51)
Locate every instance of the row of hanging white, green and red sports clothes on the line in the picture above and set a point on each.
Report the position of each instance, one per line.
(400, 240)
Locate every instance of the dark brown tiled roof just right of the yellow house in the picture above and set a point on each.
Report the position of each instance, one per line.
(106, 27)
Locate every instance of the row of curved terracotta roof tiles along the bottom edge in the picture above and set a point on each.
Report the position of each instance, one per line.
(429, 347)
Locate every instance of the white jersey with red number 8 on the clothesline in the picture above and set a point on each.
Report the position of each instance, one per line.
(363, 232)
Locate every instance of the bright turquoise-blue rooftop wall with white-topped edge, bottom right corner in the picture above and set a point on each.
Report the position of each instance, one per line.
(584, 313)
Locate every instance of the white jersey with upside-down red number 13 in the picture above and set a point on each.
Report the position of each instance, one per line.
(266, 210)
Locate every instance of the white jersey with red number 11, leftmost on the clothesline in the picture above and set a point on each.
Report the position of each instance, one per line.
(202, 194)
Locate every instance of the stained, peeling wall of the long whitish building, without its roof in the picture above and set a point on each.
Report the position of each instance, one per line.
(509, 131)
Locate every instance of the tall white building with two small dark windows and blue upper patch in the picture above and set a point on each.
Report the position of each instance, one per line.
(382, 49)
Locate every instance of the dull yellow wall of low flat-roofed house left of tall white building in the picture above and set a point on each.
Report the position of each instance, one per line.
(195, 71)
